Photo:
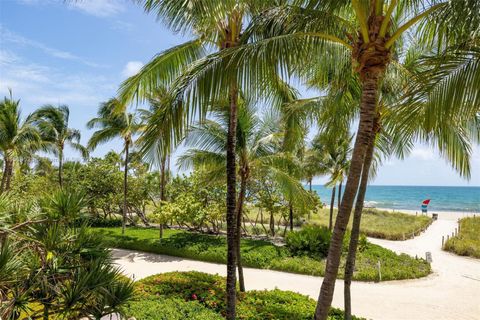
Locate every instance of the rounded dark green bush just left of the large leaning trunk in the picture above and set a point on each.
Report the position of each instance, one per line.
(311, 240)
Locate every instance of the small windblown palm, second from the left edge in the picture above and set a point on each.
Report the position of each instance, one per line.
(52, 123)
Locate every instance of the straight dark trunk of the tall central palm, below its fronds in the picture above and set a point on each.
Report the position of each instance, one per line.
(231, 204)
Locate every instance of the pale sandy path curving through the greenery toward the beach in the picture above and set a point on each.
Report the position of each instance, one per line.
(452, 292)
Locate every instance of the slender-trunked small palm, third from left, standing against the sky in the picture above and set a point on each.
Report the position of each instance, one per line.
(114, 121)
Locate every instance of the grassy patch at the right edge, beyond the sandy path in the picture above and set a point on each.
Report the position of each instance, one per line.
(467, 242)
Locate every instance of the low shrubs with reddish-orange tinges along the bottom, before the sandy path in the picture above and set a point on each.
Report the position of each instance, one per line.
(179, 294)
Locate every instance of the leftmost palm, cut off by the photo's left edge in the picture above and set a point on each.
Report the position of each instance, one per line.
(17, 137)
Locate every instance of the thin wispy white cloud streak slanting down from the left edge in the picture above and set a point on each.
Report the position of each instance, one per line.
(12, 37)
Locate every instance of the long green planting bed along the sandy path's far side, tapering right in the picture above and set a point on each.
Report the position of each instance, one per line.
(263, 254)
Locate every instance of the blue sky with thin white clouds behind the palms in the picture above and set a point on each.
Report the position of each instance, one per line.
(78, 52)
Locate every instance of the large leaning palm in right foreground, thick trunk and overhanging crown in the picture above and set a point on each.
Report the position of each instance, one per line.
(366, 32)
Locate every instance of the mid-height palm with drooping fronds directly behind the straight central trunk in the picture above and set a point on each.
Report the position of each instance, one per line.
(258, 151)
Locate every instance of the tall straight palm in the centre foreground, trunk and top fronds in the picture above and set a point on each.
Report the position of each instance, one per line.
(218, 25)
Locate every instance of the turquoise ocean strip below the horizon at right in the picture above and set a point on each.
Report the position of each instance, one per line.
(454, 199)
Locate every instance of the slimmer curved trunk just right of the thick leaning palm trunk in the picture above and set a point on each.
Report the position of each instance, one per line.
(357, 215)
